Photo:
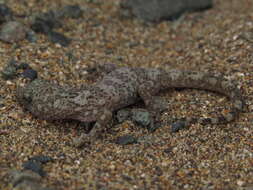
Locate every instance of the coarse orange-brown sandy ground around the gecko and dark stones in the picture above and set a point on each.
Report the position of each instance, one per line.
(202, 157)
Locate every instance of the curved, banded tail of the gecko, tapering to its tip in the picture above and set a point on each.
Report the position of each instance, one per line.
(210, 82)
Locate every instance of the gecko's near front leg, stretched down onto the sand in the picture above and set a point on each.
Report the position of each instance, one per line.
(104, 117)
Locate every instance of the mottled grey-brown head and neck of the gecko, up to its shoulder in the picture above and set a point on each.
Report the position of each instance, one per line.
(48, 101)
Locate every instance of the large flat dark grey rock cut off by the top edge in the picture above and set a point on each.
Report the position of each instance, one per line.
(156, 10)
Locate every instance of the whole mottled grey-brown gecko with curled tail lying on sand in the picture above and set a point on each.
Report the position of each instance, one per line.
(119, 88)
